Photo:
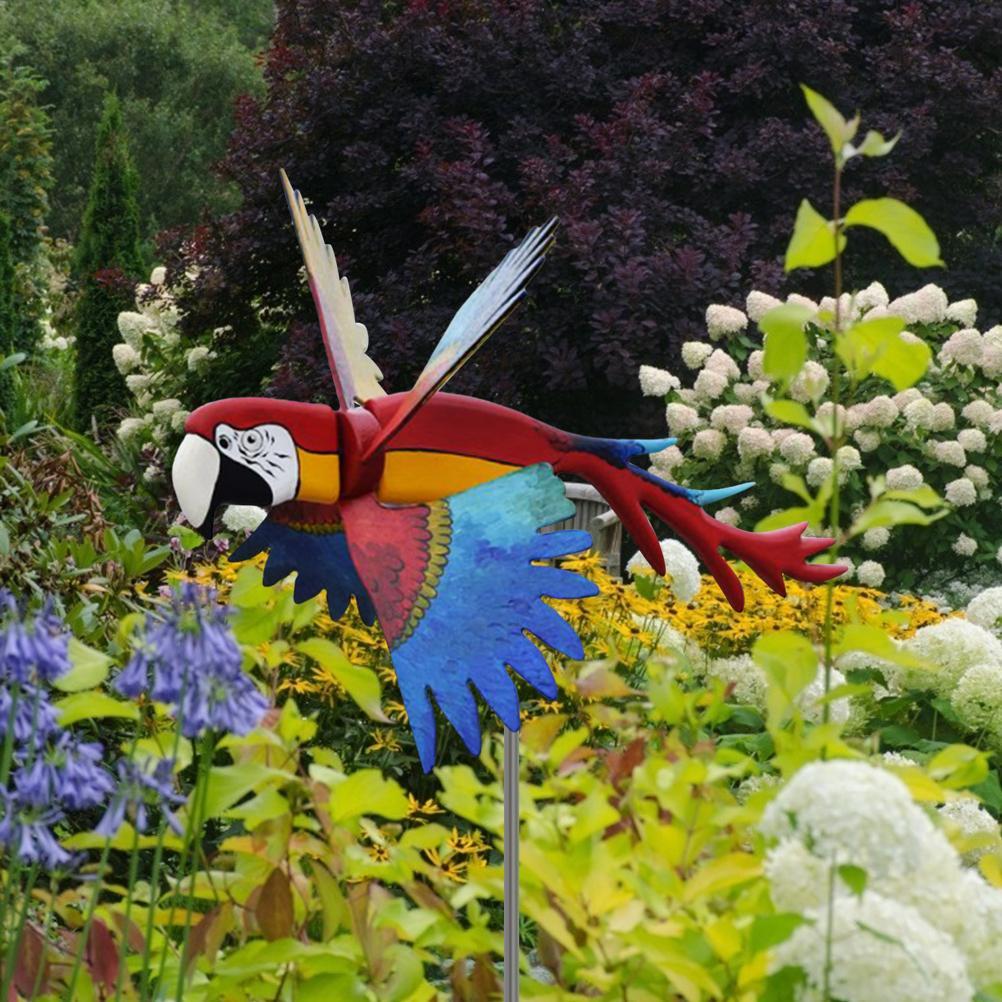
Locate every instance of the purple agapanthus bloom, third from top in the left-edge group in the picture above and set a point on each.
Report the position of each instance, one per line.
(70, 772)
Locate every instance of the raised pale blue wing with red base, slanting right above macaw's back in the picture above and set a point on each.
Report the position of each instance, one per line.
(478, 317)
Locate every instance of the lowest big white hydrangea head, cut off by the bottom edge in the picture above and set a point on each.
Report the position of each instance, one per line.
(878, 950)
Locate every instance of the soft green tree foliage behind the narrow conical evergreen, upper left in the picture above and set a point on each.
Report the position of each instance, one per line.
(178, 69)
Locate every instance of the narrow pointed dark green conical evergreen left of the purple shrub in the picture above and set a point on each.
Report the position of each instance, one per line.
(109, 263)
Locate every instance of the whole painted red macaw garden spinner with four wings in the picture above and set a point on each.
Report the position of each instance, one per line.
(427, 507)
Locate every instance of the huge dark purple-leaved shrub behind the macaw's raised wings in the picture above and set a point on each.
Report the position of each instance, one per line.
(669, 136)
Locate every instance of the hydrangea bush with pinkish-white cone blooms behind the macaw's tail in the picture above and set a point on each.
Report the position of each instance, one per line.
(943, 432)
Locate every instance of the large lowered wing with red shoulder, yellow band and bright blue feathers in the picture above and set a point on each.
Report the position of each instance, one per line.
(456, 591)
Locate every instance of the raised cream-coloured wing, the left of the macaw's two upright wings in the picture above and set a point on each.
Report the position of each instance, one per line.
(356, 376)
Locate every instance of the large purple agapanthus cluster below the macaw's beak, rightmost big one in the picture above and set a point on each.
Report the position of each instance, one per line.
(191, 661)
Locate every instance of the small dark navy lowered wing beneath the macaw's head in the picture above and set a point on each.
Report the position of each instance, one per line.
(309, 540)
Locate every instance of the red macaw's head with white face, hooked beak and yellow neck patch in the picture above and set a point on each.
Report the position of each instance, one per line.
(256, 451)
